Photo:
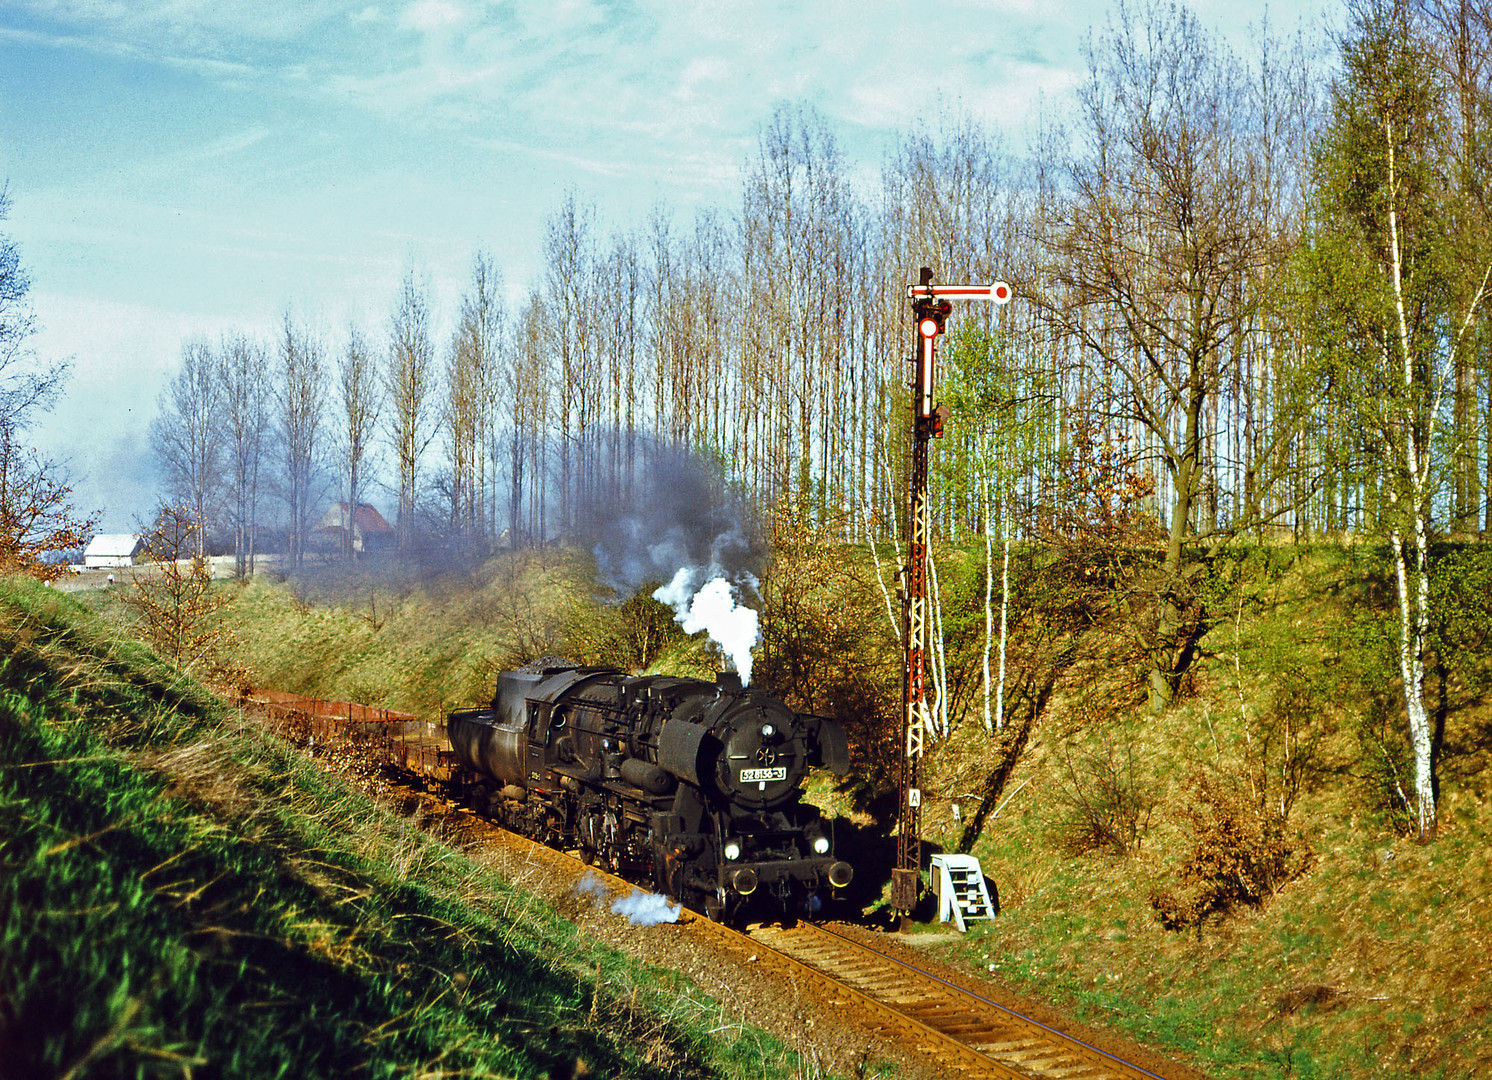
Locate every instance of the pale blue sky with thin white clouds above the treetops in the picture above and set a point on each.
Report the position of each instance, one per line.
(186, 168)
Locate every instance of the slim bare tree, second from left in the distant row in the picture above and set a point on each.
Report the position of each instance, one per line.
(245, 415)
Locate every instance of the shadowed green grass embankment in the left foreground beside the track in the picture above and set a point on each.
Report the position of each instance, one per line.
(181, 896)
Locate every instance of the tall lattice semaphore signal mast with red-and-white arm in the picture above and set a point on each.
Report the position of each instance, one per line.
(932, 305)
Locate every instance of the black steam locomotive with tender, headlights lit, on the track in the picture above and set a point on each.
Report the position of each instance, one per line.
(689, 787)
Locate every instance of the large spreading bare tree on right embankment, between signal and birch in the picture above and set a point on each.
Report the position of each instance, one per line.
(1157, 250)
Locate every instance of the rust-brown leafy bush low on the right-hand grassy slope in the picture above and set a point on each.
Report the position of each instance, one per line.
(1242, 854)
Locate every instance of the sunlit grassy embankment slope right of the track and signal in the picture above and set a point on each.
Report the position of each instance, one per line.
(1373, 963)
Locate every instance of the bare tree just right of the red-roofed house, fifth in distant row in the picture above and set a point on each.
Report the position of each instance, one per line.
(410, 380)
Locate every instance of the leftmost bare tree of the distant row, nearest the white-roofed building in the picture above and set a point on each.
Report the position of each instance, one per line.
(189, 435)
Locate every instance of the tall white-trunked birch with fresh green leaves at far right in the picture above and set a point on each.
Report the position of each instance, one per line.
(1399, 299)
